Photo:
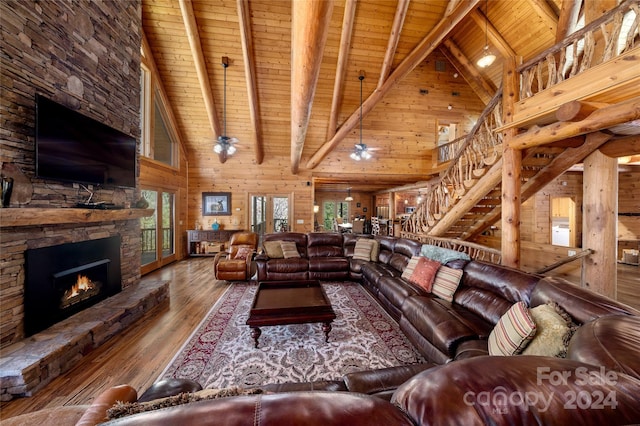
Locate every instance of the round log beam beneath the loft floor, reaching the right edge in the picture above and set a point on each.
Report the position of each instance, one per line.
(599, 120)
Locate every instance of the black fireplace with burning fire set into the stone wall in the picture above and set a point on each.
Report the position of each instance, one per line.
(65, 279)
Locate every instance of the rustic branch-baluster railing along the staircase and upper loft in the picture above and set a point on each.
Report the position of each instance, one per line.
(471, 155)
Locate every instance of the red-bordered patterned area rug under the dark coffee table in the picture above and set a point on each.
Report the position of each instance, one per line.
(220, 353)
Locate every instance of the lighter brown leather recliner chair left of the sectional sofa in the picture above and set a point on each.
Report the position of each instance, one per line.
(235, 263)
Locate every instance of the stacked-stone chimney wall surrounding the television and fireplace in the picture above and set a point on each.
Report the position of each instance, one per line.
(85, 55)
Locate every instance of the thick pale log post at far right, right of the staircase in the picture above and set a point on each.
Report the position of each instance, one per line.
(599, 223)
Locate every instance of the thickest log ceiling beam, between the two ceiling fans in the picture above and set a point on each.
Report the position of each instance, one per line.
(309, 30)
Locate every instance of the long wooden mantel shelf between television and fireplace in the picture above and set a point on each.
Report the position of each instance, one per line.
(11, 217)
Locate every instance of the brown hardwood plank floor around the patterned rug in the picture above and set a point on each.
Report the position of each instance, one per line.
(140, 354)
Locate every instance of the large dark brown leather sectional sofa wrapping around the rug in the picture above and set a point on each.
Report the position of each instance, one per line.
(597, 383)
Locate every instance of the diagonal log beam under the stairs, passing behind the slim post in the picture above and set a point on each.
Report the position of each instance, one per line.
(558, 166)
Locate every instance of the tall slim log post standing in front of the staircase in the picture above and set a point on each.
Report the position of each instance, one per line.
(511, 172)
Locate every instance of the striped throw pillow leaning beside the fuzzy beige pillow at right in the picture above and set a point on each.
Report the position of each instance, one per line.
(513, 332)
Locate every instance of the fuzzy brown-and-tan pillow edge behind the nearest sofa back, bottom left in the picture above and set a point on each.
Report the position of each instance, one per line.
(123, 409)
